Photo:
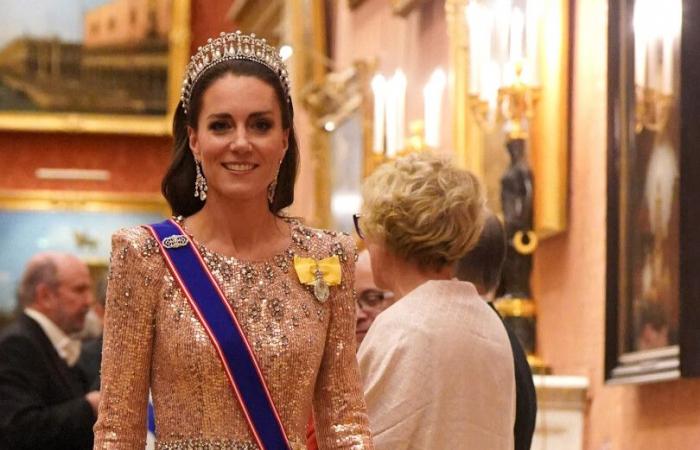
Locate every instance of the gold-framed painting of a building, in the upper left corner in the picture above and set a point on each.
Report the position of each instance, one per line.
(110, 66)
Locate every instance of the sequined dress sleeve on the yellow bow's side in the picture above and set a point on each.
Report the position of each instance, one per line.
(339, 407)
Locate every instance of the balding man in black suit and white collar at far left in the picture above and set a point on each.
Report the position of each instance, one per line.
(44, 399)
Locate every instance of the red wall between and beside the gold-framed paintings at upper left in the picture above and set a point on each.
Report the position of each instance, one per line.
(136, 163)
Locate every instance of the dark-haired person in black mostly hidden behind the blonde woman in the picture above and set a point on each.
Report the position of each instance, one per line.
(482, 267)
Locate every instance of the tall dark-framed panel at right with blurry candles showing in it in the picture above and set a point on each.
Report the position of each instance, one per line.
(652, 294)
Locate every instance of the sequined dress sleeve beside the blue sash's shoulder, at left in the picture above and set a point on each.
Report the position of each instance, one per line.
(128, 337)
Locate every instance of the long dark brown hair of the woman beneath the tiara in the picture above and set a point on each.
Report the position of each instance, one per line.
(178, 182)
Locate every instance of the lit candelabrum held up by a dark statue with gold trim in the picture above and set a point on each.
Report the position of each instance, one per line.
(503, 92)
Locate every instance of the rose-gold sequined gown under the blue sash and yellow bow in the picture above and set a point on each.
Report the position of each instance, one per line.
(305, 349)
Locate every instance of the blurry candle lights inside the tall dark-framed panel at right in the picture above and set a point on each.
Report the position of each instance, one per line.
(656, 30)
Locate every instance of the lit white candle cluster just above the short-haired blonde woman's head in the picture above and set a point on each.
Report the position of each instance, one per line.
(389, 133)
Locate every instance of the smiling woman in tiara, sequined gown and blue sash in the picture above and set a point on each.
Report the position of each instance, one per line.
(237, 318)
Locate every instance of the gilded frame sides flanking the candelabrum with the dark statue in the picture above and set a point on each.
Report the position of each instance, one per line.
(550, 130)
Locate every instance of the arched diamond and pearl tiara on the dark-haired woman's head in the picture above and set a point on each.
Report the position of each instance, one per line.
(229, 46)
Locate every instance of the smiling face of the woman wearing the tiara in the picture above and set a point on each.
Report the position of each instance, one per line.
(239, 137)
